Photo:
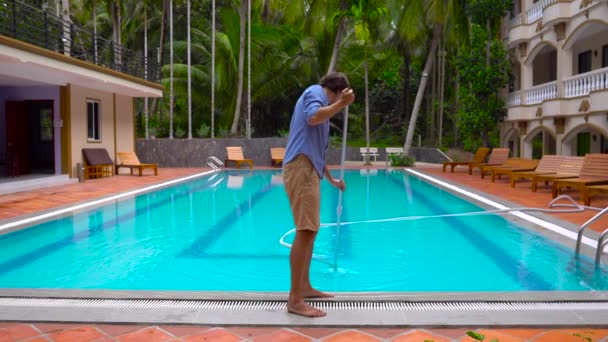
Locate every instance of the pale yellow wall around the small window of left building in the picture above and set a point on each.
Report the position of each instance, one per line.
(78, 123)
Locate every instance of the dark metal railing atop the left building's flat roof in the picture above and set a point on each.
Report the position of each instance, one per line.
(32, 25)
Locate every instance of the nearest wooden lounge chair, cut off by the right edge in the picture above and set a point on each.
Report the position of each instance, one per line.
(593, 172)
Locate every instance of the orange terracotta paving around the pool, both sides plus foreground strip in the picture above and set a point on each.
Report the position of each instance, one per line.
(15, 205)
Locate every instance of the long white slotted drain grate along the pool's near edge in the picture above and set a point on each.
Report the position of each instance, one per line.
(223, 305)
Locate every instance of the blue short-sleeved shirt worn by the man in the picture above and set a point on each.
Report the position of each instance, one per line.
(306, 139)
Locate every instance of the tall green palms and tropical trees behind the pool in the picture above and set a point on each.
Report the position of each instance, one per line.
(391, 51)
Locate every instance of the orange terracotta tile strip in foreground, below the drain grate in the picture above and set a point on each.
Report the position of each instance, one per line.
(126, 333)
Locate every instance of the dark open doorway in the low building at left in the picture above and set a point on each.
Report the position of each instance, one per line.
(30, 137)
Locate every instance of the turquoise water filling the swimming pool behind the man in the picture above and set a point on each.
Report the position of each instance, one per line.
(222, 233)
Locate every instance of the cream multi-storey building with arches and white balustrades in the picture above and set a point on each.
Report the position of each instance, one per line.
(558, 97)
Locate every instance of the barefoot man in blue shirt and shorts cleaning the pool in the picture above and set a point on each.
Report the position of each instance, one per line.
(304, 167)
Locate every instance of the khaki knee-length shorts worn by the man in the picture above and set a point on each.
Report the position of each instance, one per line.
(302, 184)
